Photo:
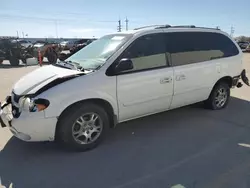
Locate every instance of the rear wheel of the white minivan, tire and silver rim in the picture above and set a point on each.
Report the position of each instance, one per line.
(216, 101)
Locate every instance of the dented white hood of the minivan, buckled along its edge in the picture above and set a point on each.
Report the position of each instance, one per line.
(40, 77)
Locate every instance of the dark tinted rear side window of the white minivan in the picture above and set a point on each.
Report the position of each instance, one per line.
(194, 47)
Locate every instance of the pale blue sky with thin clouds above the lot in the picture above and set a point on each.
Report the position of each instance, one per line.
(82, 18)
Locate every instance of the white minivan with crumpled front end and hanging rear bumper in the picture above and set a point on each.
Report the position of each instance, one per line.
(120, 77)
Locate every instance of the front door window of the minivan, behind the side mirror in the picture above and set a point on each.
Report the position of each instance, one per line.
(147, 52)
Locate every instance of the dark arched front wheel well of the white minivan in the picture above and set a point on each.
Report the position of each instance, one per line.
(103, 103)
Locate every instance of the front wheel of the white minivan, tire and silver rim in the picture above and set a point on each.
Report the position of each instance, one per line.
(67, 126)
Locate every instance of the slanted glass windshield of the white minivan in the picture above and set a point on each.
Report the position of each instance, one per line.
(96, 53)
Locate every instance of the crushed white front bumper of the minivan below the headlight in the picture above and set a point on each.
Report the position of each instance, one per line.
(27, 126)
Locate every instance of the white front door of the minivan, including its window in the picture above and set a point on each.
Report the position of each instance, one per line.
(148, 87)
